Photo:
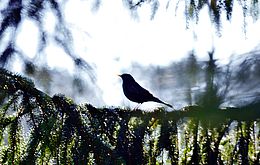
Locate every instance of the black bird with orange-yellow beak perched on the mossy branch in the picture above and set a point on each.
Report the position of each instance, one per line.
(134, 92)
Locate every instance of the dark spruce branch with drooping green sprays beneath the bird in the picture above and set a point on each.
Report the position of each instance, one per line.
(65, 132)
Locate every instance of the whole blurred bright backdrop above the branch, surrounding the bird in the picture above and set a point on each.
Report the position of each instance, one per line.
(185, 52)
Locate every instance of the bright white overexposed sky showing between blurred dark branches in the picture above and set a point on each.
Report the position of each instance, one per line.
(111, 39)
